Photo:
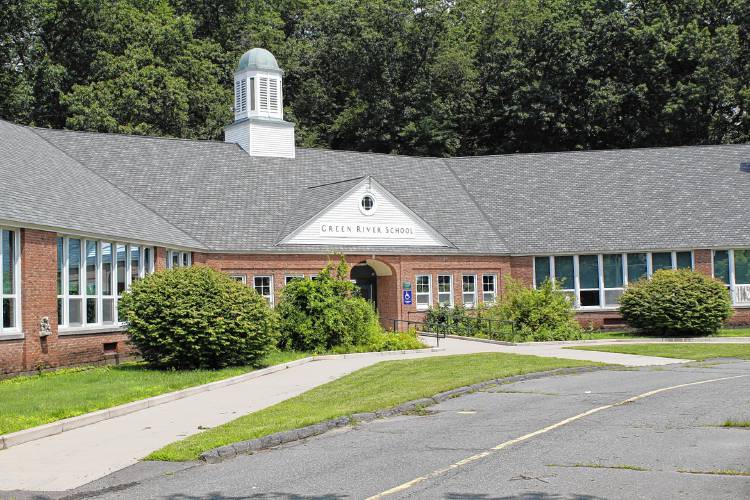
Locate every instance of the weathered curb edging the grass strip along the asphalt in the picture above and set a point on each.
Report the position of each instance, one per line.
(250, 446)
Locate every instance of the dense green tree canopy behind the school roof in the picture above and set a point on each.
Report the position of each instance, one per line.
(424, 77)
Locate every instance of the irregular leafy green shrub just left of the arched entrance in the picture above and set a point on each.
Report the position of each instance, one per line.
(322, 313)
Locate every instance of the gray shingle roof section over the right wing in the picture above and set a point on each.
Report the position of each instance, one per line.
(618, 200)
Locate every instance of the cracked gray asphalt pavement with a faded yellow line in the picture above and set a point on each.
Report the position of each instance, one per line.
(669, 444)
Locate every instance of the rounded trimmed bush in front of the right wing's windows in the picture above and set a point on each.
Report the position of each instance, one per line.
(676, 303)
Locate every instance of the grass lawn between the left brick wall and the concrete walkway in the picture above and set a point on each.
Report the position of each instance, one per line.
(40, 399)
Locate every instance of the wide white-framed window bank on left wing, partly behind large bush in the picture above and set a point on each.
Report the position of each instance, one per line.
(91, 277)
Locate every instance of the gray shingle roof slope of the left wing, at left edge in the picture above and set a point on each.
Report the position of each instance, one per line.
(44, 187)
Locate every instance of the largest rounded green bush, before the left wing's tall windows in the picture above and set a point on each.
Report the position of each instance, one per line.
(188, 318)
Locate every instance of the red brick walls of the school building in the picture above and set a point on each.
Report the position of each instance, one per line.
(39, 296)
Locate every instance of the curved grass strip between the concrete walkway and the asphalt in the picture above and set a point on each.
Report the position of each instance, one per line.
(379, 386)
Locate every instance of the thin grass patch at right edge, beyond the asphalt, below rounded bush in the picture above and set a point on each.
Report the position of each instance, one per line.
(682, 350)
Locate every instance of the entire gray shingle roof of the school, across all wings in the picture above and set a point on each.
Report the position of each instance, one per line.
(212, 195)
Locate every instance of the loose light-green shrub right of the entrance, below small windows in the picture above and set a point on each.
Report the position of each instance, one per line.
(540, 314)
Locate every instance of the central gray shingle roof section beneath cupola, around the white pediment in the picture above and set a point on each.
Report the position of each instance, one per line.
(233, 202)
